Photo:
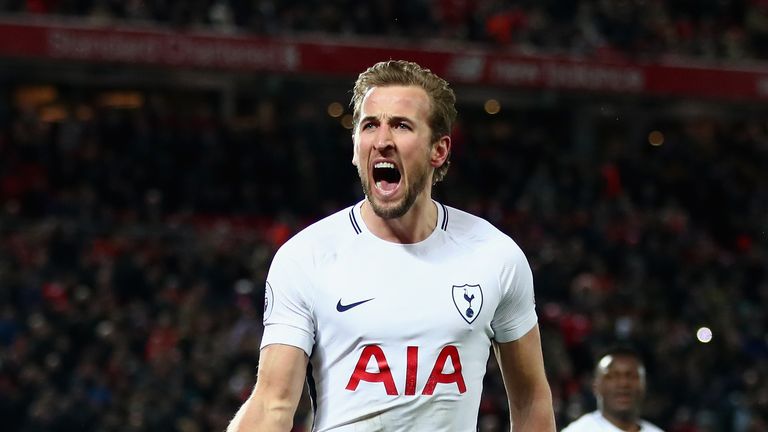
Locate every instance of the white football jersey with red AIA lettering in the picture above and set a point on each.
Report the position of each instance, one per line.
(397, 335)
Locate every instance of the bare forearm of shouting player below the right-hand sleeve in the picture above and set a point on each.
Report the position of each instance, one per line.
(530, 399)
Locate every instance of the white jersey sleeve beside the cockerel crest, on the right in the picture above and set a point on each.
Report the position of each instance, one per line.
(516, 312)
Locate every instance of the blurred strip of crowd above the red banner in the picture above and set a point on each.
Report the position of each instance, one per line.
(645, 29)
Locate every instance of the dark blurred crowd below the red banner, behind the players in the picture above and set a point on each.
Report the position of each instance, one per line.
(134, 246)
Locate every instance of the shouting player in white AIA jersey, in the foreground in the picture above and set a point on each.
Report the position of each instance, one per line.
(388, 308)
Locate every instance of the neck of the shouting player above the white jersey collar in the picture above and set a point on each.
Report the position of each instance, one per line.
(414, 226)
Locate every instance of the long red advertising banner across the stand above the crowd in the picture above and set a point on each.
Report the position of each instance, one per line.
(213, 51)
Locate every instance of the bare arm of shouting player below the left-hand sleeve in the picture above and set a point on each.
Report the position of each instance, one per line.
(273, 402)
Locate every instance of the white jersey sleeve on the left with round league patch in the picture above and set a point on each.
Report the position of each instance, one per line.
(288, 305)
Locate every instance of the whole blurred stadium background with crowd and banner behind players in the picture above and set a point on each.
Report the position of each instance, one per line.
(154, 154)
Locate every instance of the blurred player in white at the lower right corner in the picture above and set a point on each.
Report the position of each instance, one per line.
(619, 387)
